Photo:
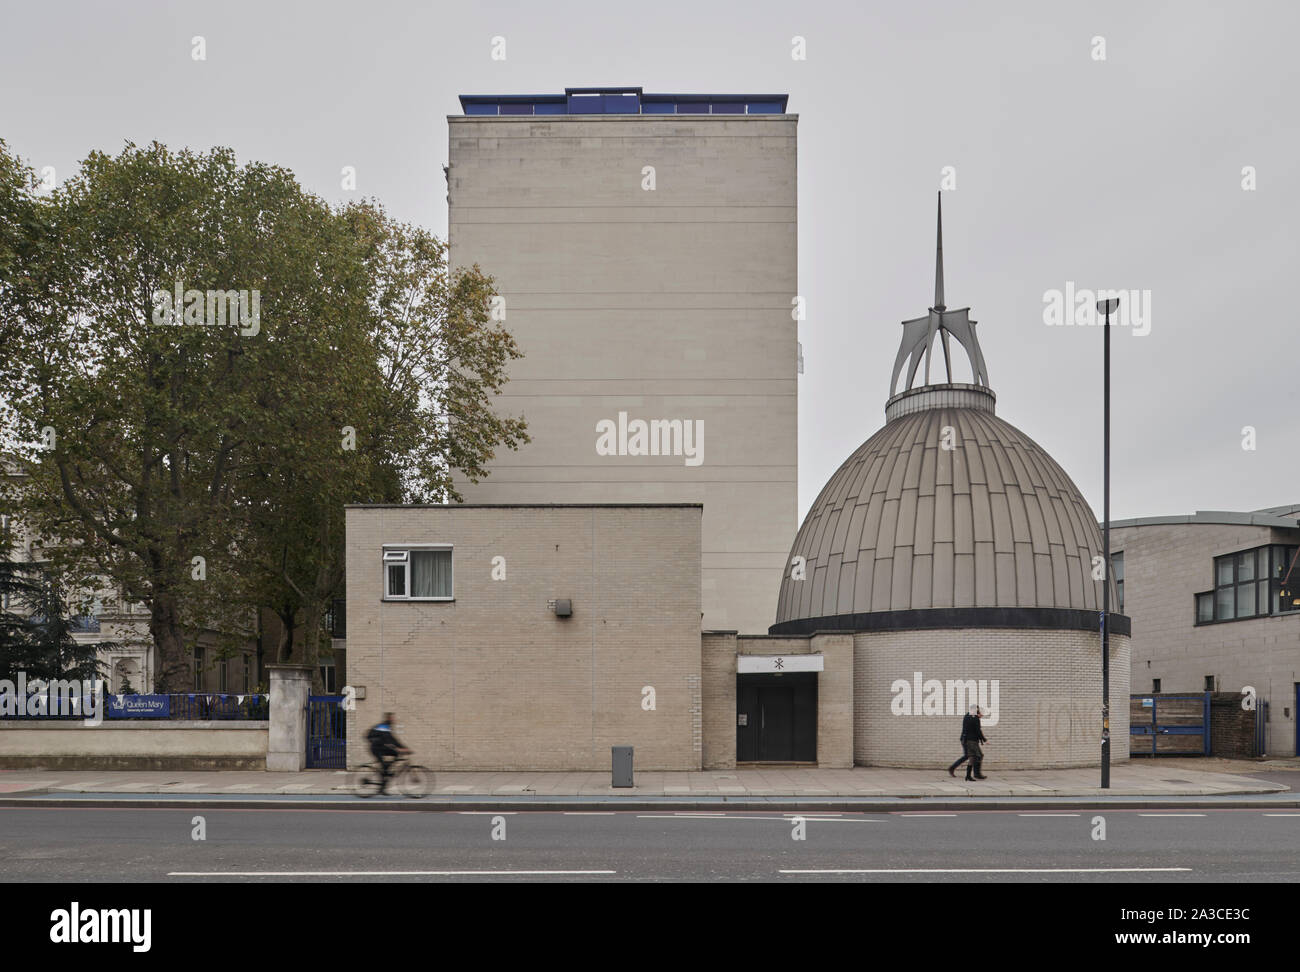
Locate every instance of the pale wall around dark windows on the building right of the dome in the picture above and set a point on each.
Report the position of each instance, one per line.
(1165, 567)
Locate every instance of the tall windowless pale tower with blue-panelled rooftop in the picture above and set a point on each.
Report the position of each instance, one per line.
(645, 246)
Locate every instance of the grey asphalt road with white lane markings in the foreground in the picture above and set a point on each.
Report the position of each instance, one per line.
(340, 847)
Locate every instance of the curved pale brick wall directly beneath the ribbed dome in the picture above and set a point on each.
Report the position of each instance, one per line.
(1050, 697)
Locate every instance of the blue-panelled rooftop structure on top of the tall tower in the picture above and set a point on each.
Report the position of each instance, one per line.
(622, 102)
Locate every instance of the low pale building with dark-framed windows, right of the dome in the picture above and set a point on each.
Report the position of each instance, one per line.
(1216, 598)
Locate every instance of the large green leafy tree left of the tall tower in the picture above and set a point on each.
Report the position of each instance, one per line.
(203, 468)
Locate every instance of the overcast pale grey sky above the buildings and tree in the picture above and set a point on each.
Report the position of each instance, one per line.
(1121, 173)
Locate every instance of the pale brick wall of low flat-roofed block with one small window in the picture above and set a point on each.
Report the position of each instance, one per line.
(496, 682)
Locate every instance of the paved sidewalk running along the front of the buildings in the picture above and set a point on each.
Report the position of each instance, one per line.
(1134, 779)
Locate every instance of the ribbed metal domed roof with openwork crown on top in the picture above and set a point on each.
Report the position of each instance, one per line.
(947, 510)
